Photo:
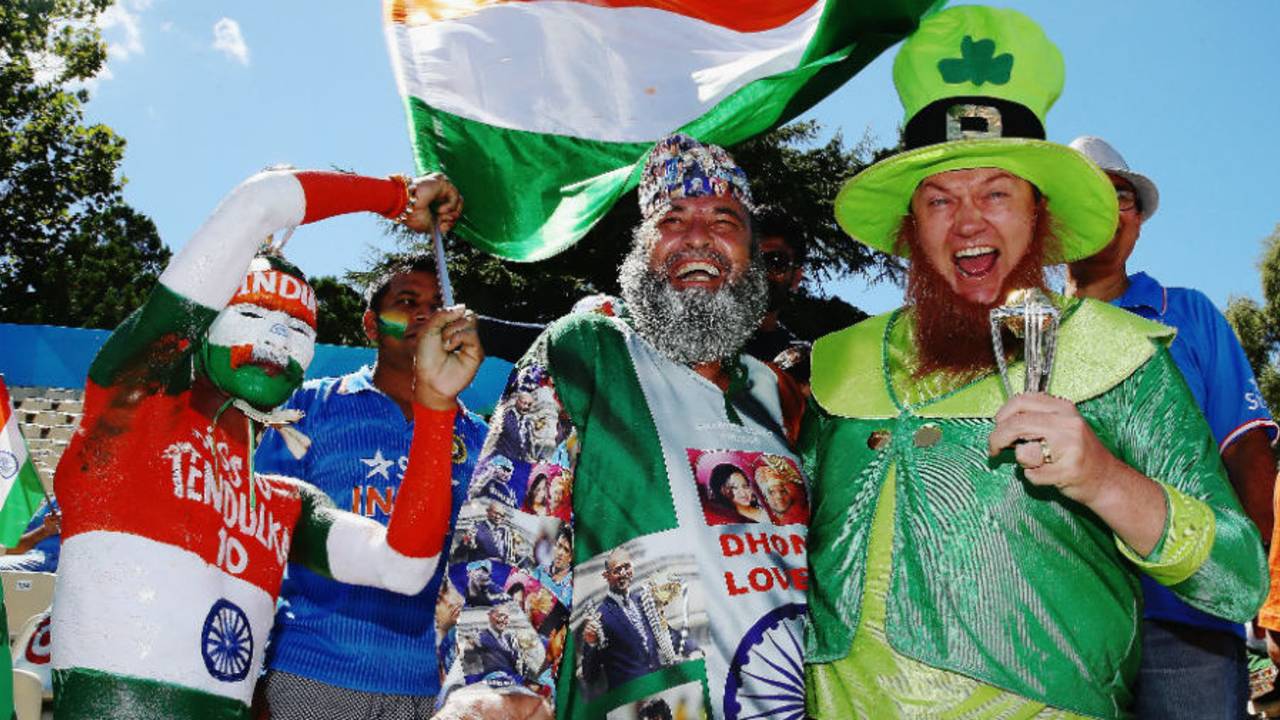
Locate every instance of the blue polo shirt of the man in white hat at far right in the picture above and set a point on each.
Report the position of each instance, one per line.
(1213, 363)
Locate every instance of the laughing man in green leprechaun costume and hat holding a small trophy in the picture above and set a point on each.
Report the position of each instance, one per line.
(976, 555)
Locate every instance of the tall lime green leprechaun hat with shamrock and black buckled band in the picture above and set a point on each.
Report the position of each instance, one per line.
(976, 84)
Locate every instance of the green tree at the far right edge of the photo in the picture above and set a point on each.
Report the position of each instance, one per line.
(1259, 326)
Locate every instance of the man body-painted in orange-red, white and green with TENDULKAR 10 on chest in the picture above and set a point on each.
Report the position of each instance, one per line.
(173, 548)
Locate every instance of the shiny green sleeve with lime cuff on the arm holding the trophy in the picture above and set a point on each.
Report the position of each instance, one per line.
(1217, 563)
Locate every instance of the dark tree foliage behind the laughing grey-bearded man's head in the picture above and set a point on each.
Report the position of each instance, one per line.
(792, 172)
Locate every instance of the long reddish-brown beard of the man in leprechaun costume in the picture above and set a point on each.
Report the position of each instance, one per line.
(952, 334)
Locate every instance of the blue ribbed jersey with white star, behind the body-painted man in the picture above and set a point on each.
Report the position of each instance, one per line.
(348, 636)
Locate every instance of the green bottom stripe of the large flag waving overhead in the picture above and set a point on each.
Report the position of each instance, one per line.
(533, 195)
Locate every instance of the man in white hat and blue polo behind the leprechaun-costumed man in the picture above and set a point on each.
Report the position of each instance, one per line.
(1182, 646)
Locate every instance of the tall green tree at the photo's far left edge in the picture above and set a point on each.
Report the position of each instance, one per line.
(72, 252)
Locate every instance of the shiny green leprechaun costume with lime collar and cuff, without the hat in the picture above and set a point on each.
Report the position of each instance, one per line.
(995, 598)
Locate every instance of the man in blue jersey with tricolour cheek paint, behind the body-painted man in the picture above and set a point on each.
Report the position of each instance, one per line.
(345, 651)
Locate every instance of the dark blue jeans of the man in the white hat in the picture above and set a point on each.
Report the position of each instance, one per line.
(1191, 673)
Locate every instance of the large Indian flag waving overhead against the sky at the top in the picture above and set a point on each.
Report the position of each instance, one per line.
(541, 111)
